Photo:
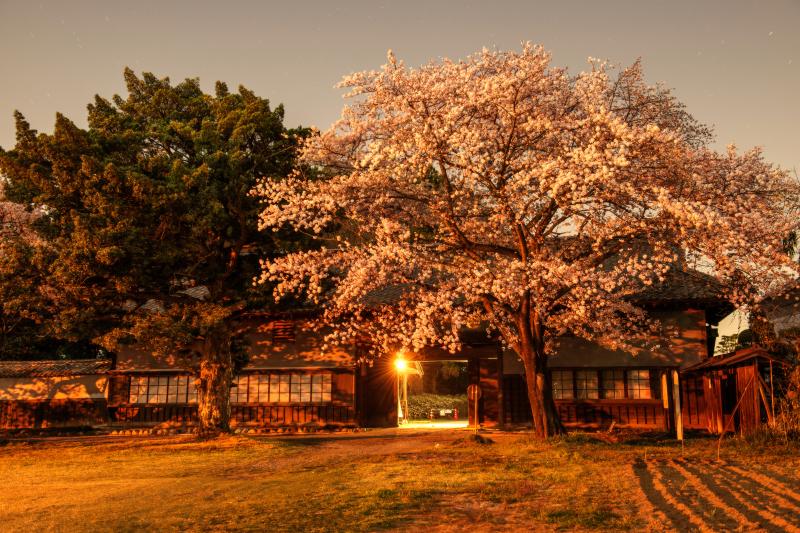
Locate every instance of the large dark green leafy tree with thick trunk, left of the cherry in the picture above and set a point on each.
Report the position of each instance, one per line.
(149, 233)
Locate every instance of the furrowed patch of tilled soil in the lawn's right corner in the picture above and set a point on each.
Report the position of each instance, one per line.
(720, 496)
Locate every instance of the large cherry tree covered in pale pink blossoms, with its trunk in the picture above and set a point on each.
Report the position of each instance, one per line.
(500, 190)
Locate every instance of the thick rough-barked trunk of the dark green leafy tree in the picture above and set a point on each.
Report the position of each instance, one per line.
(213, 398)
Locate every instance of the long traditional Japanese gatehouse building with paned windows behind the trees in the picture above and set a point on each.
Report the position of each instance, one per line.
(291, 382)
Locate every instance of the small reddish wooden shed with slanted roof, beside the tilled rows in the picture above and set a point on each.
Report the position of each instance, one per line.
(733, 392)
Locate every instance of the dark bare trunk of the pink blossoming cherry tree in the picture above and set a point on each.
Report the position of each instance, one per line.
(546, 422)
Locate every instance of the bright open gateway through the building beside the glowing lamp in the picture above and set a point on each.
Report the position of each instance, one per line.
(433, 394)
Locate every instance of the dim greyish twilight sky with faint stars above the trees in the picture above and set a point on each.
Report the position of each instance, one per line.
(736, 64)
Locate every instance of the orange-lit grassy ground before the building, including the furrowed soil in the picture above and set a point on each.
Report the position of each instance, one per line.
(435, 480)
